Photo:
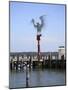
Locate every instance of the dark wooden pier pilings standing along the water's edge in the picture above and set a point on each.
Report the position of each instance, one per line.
(49, 63)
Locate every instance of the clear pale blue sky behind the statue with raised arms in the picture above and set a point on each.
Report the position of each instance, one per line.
(23, 34)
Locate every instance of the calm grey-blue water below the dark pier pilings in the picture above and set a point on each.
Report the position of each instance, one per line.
(37, 78)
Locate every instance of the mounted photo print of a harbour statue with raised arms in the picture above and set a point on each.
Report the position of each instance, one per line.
(37, 55)
